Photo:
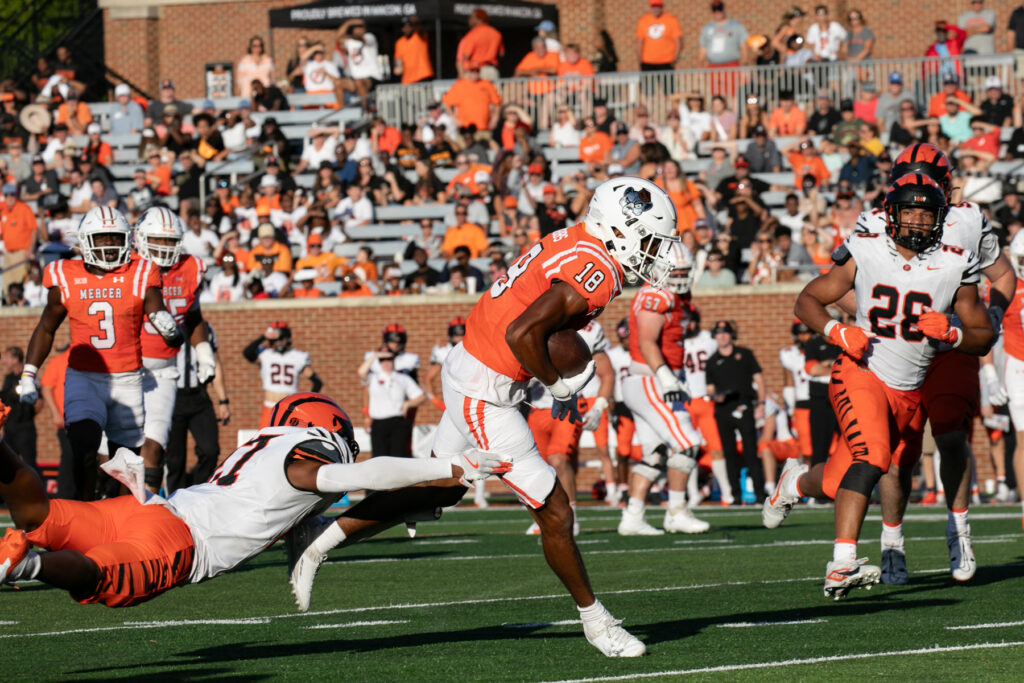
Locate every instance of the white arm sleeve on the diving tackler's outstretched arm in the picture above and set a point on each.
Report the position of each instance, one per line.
(382, 474)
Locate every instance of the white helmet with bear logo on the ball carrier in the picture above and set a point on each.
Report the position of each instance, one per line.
(636, 223)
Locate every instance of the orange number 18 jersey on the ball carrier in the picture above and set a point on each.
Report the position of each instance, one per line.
(570, 257)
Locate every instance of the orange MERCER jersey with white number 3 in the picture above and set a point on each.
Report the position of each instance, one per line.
(105, 313)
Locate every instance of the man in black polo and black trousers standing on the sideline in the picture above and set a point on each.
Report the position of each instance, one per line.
(738, 388)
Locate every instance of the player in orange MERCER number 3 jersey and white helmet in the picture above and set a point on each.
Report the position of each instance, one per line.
(107, 295)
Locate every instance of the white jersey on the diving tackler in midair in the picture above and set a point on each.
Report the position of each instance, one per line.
(249, 503)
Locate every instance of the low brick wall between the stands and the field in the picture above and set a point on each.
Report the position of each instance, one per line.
(337, 333)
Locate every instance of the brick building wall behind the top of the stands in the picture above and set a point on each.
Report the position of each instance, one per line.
(178, 39)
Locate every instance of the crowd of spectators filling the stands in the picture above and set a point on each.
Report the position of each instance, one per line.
(298, 226)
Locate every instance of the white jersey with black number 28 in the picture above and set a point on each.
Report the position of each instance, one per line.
(892, 293)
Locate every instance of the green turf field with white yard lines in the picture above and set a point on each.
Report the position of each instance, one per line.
(472, 599)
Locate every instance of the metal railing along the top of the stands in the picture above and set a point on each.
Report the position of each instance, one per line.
(922, 79)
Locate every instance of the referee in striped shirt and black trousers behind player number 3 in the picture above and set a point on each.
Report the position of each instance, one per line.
(195, 413)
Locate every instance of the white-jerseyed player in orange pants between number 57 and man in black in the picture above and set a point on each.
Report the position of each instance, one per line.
(699, 347)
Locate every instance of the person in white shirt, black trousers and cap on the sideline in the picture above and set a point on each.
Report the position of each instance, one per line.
(392, 399)
